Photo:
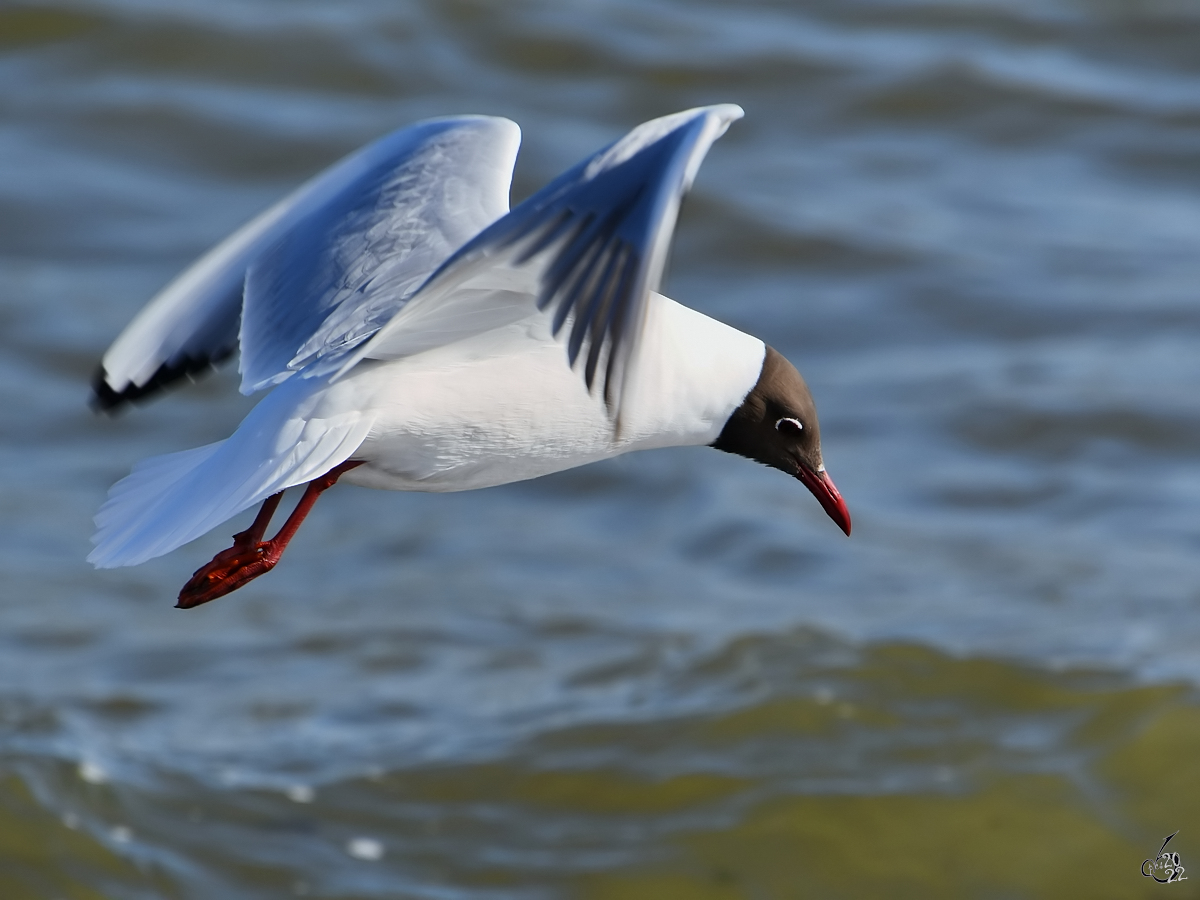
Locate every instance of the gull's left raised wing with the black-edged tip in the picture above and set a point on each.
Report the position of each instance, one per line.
(325, 267)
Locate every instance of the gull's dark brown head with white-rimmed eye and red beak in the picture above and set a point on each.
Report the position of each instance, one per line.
(777, 425)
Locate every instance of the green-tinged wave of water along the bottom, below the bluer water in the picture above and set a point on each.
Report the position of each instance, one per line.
(902, 772)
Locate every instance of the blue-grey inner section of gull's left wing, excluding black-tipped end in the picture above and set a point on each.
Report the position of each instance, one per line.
(345, 269)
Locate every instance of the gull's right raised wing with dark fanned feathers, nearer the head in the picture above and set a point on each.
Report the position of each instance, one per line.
(587, 249)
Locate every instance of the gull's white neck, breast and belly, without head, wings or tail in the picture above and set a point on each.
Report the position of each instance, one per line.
(507, 407)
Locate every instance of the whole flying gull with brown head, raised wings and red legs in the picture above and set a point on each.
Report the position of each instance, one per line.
(418, 335)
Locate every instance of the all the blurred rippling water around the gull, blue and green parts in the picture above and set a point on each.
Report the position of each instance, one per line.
(973, 225)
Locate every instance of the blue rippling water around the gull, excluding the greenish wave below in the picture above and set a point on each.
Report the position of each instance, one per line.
(973, 226)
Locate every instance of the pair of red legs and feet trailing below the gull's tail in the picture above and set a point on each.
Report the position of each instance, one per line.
(251, 556)
